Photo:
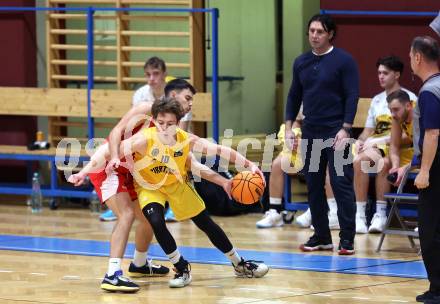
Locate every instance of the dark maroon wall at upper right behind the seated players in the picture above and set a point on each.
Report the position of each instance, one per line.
(369, 37)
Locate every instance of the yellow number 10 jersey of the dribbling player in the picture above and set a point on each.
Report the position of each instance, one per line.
(162, 165)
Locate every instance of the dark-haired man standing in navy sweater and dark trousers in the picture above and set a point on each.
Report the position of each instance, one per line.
(326, 81)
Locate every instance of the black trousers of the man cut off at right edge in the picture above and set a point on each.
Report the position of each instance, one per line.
(429, 225)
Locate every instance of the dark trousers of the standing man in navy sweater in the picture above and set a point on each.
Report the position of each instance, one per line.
(342, 184)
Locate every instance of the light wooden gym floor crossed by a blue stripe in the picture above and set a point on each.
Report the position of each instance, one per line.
(395, 275)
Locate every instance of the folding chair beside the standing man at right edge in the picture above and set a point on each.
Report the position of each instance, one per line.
(395, 199)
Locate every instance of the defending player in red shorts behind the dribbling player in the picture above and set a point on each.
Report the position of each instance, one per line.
(115, 189)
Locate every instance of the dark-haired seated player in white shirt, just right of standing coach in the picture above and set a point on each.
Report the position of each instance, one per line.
(372, 146)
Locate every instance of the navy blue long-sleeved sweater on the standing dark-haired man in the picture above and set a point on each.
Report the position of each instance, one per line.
(328, 87)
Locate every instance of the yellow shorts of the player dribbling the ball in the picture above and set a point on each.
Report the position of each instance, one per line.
(182, 197)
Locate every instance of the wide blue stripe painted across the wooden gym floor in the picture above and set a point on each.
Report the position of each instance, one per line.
(281, 260)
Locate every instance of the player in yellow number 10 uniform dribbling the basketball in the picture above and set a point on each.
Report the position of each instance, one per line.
(163, 155)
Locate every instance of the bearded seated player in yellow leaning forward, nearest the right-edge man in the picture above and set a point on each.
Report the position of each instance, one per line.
(401, 150)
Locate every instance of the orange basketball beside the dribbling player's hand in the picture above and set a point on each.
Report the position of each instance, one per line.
(247, 187)
